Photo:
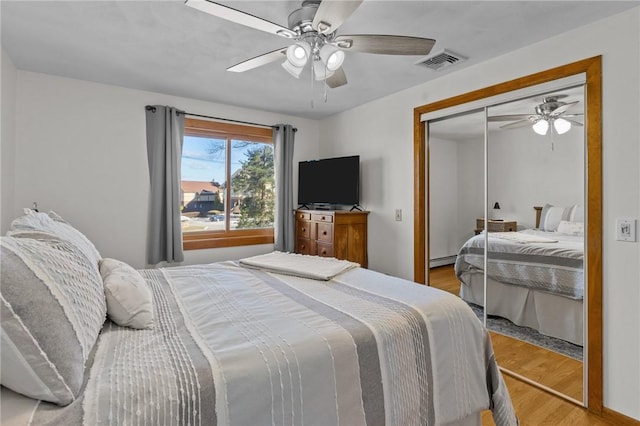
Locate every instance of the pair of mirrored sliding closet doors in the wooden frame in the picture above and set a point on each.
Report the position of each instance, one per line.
(505, 223)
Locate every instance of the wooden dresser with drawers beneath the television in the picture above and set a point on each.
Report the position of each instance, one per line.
(333, 233)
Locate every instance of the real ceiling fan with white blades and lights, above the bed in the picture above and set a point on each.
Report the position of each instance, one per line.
(312, 29)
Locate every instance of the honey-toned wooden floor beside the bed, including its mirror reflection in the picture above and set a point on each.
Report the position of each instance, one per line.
(533, 405)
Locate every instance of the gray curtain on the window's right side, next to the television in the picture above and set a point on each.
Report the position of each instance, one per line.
(284, 134)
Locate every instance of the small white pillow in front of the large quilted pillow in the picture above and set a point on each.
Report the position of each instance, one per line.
(129, 299)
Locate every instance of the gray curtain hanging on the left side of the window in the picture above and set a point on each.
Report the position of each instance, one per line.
(165, 131)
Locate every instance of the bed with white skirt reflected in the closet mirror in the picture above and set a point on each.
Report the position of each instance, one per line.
(535, 277)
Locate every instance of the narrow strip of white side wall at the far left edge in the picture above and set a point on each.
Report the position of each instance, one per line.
(8, 138)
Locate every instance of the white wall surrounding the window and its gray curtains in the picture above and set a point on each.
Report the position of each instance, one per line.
(81, 151)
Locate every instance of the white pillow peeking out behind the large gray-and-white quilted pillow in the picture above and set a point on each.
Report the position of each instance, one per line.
(54, 224)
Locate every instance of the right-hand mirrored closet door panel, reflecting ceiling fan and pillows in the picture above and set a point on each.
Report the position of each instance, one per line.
(534, 277)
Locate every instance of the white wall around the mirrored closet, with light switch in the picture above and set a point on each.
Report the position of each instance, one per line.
(386, 144)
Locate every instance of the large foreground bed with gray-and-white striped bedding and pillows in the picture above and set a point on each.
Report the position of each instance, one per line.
(272, 339)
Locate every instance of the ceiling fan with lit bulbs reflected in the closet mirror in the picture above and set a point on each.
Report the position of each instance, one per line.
(552, 111)
